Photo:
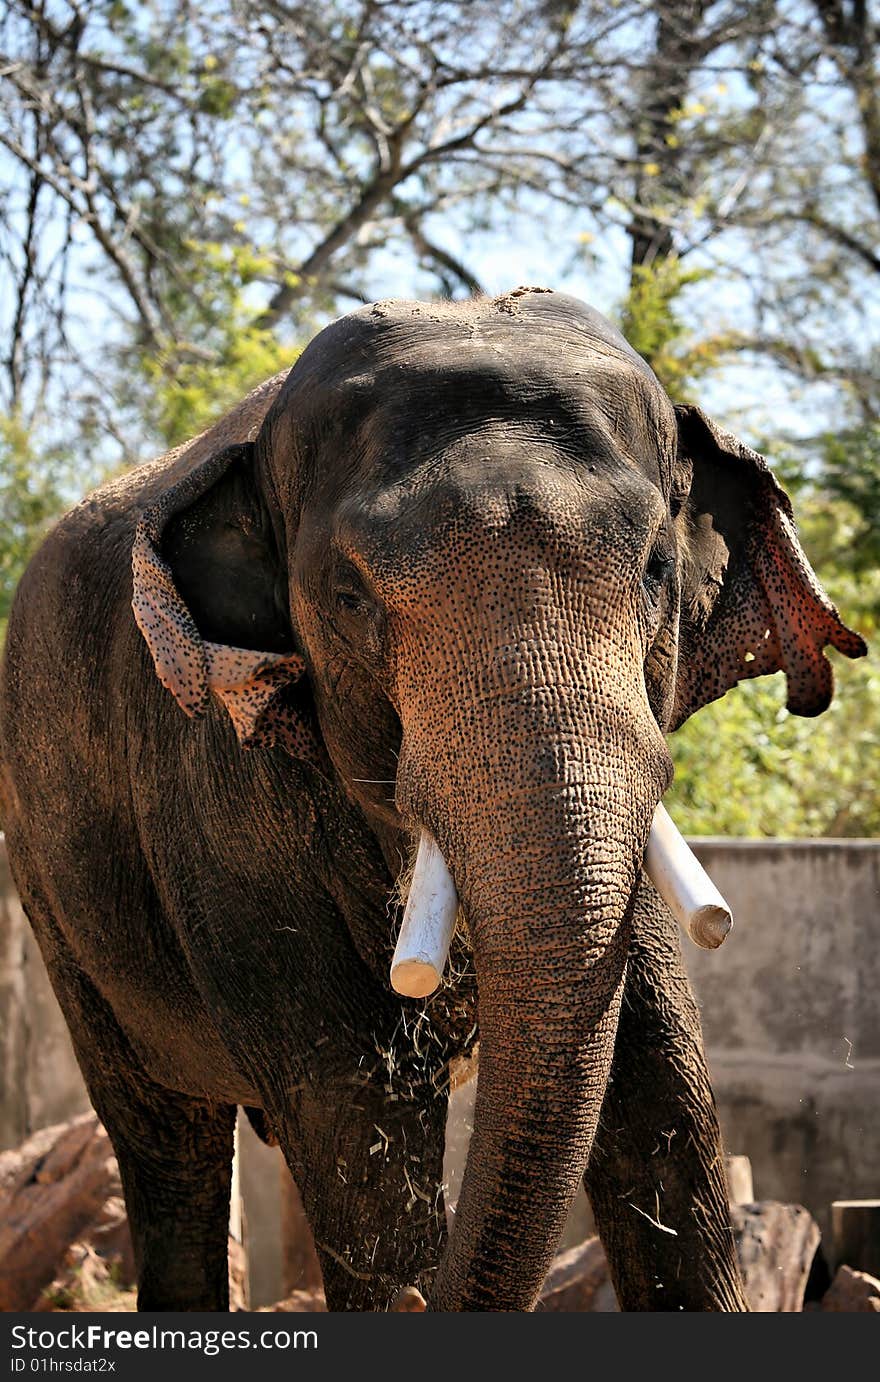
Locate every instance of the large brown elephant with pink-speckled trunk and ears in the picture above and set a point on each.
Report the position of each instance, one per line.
(462, 570)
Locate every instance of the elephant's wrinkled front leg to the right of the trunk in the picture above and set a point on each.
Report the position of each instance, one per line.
(657, 1177)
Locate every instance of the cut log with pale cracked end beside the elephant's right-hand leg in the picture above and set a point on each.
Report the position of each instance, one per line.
(776, 1246)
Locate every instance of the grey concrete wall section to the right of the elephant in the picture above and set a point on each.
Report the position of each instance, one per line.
(791, 1008)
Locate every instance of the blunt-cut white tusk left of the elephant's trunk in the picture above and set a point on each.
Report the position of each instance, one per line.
(429, 922)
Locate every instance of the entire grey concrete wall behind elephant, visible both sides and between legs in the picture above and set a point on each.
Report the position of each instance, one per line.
(792, 987)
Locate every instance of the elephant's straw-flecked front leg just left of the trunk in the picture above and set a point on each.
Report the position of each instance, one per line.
(371, 1173)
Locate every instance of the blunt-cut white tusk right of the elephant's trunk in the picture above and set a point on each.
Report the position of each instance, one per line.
(683, 884)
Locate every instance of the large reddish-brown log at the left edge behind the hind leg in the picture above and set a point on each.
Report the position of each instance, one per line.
(52, 1189)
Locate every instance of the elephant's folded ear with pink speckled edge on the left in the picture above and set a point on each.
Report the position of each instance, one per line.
(211, 600)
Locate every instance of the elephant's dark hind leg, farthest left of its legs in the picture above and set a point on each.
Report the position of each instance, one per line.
(175, 1160)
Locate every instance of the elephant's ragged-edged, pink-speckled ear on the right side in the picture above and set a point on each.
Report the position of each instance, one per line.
(751, 602)
